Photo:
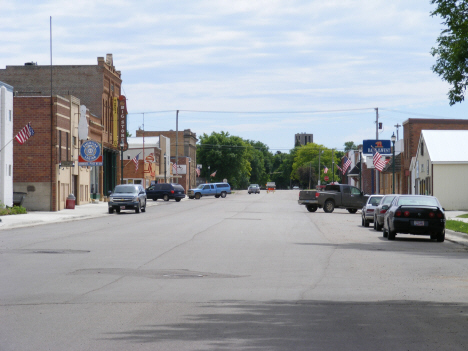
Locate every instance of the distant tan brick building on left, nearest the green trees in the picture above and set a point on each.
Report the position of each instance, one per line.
(186, 151)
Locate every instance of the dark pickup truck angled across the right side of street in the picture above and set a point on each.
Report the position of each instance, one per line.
(334, 196)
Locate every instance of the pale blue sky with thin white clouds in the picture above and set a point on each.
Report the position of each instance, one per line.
(261, 70)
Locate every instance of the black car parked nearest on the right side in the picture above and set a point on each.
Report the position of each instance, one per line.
(414, 214)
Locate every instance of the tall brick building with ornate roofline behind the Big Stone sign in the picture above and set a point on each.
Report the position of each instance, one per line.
(94, 85)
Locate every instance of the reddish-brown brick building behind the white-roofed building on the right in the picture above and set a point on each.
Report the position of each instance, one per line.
(412, 128)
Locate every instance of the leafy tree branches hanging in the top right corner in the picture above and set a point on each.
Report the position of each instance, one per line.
(452, 50)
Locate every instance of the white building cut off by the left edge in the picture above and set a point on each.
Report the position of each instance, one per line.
(6, 144)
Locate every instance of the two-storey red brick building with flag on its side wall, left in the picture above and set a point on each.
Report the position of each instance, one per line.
(41, 166)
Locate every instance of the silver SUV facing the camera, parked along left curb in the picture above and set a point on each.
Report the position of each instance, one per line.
(127, 197)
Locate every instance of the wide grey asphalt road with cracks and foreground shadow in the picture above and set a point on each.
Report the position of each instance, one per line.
(249, 272)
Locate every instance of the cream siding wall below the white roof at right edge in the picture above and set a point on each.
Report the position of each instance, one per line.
(449, 188)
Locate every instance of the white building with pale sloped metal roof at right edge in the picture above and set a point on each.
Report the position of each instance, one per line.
(440, 167)
